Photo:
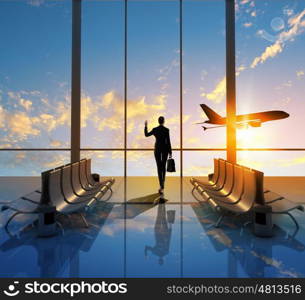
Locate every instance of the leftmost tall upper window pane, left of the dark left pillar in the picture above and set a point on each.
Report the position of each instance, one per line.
(35, 74)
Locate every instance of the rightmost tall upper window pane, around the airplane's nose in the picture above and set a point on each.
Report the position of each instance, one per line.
(270, 54)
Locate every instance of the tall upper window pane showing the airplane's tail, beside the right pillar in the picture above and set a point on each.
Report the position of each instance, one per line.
(204, 71)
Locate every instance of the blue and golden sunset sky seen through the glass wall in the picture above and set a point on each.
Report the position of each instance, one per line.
(35, 64)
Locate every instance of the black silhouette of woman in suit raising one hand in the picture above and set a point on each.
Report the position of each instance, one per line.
(162, 149)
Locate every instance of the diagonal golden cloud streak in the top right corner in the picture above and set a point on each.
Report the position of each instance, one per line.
(296, 27)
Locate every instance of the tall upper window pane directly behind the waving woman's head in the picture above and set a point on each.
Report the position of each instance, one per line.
(153, 69)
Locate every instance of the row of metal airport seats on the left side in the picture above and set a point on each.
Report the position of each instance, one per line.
(57, 190)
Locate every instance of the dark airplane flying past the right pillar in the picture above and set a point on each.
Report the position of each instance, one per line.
(253, 120)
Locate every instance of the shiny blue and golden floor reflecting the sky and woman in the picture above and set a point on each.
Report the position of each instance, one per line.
(146, 238)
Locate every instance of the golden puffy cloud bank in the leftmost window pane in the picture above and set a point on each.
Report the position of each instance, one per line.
(22, 120)
